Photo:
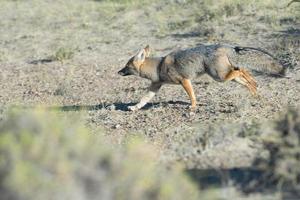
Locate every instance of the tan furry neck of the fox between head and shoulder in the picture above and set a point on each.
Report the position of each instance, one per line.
(149, 69)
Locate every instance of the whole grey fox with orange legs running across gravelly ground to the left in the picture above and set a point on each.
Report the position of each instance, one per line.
(221, 62)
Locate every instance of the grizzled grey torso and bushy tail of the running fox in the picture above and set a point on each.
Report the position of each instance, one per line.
(205, 59)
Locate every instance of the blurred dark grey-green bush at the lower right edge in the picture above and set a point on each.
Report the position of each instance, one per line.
(282, 141)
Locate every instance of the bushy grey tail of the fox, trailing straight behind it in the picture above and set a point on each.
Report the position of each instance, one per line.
(257, 60)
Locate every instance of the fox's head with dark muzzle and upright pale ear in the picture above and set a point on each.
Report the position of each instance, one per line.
(133, 66)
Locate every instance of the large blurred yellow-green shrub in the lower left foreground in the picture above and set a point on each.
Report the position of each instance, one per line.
(44, 155)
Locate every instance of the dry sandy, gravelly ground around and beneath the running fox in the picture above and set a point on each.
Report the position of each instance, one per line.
(102, 43)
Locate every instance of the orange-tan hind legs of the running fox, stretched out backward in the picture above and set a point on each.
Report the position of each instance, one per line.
(243, 77)
